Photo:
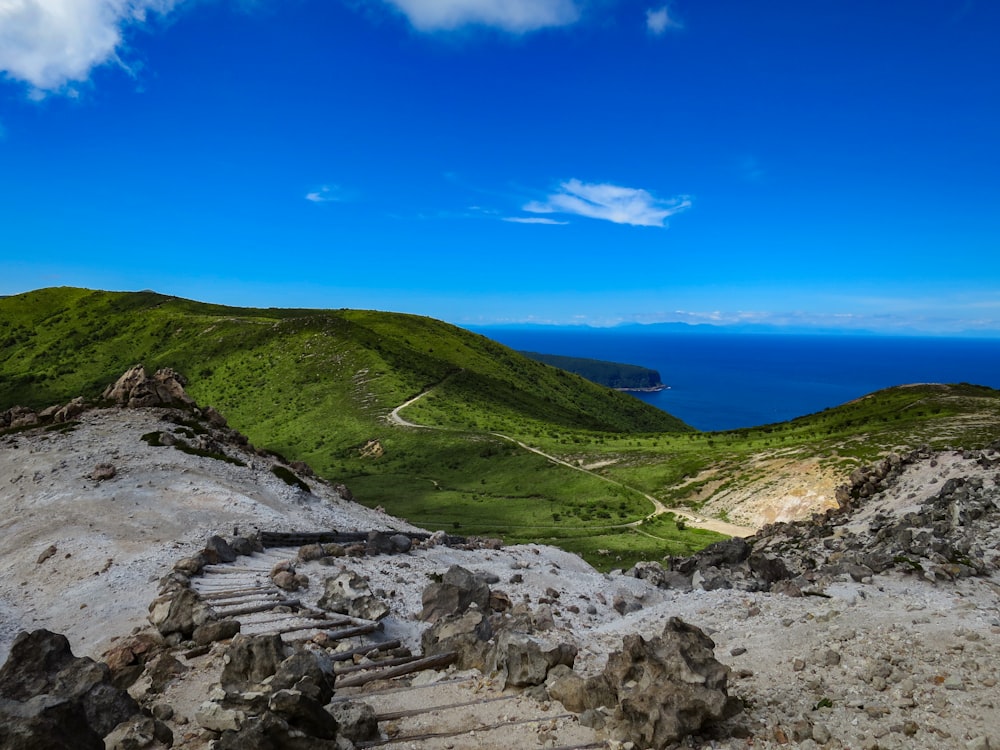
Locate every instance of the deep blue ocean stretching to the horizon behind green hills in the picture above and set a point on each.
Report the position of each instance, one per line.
(722, 381)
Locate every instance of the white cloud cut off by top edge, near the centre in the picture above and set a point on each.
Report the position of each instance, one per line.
(510, 15)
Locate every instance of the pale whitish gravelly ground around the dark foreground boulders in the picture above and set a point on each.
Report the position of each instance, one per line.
(896, 663)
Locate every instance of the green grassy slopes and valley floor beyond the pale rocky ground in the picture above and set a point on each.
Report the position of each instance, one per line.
(317, 386)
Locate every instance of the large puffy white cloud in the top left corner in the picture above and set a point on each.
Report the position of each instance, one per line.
(50, 44)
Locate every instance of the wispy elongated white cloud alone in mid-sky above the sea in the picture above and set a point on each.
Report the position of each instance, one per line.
(620, 205)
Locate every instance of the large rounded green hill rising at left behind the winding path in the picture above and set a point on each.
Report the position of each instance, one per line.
(259, 362)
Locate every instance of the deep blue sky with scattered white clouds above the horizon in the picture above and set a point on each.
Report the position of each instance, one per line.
(831, 163)
